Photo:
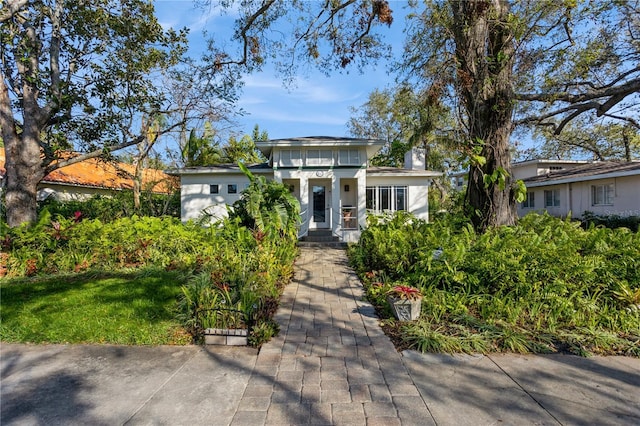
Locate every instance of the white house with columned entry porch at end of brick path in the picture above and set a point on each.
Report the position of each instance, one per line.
(328, 175)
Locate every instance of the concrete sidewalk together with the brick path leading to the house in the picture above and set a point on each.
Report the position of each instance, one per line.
(331, 364)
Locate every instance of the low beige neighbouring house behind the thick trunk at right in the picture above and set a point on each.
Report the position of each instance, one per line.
(603, 188)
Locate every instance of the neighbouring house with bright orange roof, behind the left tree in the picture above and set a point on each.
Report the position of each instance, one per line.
(82, 180)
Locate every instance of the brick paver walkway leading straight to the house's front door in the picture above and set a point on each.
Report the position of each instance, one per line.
(331, 363)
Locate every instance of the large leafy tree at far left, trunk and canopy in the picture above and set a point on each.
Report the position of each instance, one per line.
(72, 73)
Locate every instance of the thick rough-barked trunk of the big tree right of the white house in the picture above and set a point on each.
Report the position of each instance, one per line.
(485, 54)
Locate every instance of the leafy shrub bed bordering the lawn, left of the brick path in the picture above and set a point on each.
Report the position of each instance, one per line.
(233, 275)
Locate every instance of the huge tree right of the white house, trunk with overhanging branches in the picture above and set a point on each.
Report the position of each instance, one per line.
(501, 62)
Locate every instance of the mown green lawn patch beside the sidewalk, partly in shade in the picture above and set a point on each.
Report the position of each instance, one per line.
(123, 307)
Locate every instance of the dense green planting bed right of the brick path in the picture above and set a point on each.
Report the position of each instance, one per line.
(545, 285)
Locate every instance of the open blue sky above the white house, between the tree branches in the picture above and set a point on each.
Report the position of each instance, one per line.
(316, 105)
